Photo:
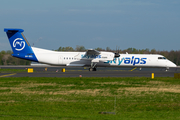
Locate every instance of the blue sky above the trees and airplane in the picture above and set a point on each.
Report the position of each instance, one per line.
(50, 24)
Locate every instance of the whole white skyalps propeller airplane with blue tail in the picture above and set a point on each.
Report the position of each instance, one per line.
(91, 58)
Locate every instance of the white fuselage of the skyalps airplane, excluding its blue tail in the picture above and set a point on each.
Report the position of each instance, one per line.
(104, 59)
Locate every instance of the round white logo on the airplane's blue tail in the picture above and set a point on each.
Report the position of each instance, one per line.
(18, 44)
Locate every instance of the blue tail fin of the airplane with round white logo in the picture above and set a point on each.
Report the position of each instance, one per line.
(20, 46)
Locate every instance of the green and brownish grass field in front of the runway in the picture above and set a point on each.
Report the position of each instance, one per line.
(83, 98)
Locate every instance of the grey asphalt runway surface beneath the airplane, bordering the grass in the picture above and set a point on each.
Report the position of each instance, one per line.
(82, 72)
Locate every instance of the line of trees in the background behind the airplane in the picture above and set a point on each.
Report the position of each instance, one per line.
(174, 56)
